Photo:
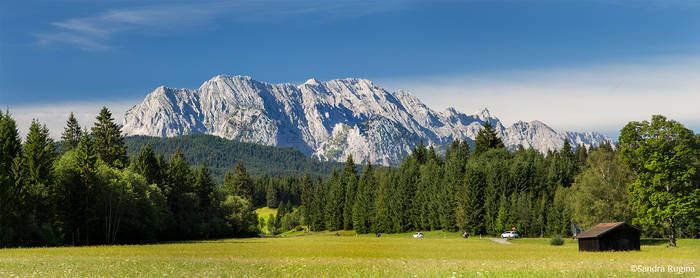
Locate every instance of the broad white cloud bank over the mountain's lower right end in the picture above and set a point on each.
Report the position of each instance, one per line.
(586, 98)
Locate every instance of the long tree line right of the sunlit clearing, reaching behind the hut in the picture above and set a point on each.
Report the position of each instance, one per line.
(650, 179)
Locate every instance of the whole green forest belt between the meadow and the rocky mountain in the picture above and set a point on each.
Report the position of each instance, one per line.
(85, 189)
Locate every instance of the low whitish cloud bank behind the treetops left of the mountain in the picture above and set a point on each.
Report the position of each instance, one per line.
(55, 115)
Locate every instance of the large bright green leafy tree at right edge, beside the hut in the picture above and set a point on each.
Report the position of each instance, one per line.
(664, 154)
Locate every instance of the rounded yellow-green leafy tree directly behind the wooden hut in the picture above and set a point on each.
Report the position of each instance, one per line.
(599, 193)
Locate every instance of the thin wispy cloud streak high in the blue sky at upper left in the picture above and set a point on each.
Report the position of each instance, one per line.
(96, 31)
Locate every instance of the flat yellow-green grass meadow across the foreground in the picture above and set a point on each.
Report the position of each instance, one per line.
(324, 255)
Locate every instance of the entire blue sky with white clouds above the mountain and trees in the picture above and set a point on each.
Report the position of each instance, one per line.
(591, 65)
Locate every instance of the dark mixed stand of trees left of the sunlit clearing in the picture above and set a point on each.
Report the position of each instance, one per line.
(84, 190)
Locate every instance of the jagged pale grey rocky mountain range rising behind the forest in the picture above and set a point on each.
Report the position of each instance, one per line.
(328, 120)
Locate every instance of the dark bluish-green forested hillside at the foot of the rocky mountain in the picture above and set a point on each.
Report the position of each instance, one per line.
(221, 155)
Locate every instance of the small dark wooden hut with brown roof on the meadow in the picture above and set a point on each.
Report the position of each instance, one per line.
(618, 236)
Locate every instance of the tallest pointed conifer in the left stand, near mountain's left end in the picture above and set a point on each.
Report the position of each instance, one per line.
(109, 142)
